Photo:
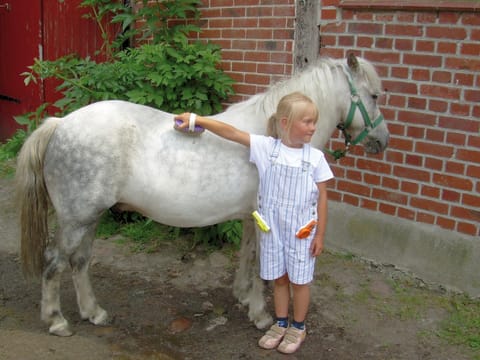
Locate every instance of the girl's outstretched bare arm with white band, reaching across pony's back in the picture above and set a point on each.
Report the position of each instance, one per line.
(219, 128)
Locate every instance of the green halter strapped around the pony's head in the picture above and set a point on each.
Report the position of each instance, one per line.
(369, 125)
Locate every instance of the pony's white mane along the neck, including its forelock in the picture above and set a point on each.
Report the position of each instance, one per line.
(317, 79)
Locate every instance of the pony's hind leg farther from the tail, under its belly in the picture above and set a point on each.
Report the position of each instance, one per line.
(86, 300)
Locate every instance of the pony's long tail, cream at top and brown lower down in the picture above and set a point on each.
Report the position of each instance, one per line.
(32, 198)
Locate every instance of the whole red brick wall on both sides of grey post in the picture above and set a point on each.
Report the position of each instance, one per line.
(429, 60)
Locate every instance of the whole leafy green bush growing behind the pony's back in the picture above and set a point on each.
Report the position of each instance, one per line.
(169, 72)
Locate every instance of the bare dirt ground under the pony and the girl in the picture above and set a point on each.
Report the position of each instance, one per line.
(168, 306)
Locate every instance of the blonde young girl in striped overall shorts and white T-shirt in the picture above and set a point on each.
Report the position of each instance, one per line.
(292, 192)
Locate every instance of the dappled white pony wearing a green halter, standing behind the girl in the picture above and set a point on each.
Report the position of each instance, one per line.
(118, 153)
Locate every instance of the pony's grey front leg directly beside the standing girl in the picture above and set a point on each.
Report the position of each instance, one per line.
(247, 286)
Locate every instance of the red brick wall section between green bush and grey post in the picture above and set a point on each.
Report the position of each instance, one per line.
(256, 37)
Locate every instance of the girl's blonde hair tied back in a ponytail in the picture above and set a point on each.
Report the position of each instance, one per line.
(291, 107)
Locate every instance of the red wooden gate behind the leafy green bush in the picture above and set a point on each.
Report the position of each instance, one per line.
(44, 29)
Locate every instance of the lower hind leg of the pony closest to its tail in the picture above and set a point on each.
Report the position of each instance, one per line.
(50, 306)
